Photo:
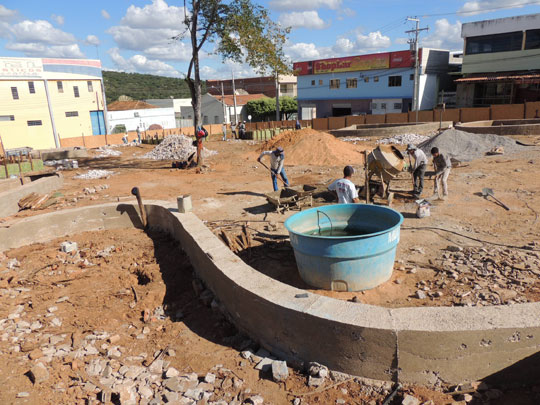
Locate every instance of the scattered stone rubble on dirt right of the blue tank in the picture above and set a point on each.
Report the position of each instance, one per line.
(479, 276)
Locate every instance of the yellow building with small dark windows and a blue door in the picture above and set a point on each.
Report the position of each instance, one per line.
(43, 100)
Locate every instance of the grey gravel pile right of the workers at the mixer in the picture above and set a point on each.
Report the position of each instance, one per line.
(465, 146)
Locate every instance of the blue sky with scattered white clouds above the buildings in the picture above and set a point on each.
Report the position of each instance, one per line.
(132, 35)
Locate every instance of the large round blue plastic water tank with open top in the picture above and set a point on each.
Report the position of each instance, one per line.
(360, 260)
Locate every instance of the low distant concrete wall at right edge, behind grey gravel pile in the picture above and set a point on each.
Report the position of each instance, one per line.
(502, 127)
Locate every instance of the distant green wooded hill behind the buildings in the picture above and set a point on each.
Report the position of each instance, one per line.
(141, 87)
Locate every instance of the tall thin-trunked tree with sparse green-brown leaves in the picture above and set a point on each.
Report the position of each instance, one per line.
(241, 31)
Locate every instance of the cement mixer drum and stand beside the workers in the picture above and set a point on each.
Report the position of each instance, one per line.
(386, 162)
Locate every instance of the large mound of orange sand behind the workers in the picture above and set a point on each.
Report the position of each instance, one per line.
(310, 147)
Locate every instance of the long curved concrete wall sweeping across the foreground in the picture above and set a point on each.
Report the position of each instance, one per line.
(417, 345)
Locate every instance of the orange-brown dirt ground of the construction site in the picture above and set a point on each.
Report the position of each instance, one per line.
(230, 191)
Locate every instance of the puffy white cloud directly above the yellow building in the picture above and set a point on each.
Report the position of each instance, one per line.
(40, 31)
